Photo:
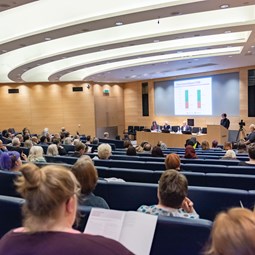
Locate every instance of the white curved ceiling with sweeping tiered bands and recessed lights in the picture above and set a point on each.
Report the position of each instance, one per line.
(120, 41)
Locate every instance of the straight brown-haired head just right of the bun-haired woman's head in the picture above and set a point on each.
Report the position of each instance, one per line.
(86, 174)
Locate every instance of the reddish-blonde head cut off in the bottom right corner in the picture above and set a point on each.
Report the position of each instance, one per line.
(233, 233)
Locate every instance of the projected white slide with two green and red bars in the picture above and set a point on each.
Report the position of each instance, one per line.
(193, 96)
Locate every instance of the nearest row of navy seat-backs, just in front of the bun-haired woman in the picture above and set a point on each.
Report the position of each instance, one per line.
(194, 232)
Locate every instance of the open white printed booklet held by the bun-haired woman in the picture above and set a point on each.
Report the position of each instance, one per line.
(134, 230)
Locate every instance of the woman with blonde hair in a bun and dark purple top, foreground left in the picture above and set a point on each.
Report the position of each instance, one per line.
(49, 213)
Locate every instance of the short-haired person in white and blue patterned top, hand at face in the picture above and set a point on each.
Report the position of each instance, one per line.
(172, 196)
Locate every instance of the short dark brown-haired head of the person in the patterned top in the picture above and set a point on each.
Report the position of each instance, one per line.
(172, 189)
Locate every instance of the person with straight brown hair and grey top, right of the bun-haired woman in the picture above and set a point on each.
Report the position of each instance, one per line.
(86, 174)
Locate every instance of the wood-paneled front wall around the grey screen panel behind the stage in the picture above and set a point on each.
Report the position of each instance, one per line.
(133, 103)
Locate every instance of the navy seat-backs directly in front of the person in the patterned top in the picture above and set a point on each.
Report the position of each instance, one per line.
(208, 201)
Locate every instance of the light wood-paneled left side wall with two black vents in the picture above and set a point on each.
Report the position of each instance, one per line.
(37, 106)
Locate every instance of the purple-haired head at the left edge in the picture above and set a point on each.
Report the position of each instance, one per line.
(10, 160)
